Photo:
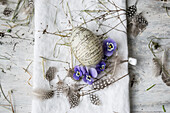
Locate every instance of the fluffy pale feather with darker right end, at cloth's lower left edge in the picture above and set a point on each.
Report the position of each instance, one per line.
(43, 94)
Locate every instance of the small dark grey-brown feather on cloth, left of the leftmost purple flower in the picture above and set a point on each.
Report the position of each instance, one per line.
(50, 74)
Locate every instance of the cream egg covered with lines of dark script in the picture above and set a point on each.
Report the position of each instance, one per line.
(86, 46)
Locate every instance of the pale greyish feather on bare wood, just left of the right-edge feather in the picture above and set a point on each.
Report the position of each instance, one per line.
(157, 68)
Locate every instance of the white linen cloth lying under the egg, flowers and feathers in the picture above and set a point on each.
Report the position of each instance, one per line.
(52, 13)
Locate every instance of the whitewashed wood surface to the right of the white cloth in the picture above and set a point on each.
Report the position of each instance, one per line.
(151, 101)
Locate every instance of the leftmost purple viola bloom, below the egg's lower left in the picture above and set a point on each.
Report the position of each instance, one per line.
(77, 73)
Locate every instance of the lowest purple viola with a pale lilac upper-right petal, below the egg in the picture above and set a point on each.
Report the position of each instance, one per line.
(88, 77)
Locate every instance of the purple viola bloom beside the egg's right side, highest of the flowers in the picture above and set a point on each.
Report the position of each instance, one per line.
(109, 45)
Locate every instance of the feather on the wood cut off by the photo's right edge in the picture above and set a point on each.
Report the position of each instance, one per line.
(165, 75)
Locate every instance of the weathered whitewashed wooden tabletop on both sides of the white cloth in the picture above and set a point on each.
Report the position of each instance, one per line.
(13, 77)
